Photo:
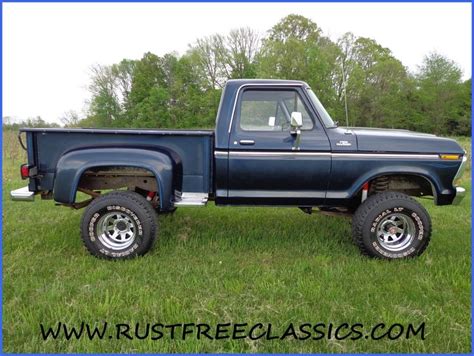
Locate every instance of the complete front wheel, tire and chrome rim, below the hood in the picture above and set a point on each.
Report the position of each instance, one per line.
(391, 225)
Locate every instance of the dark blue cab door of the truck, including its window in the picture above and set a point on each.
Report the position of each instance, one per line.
(265, 166)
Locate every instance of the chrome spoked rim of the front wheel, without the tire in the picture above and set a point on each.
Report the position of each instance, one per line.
(395, 232)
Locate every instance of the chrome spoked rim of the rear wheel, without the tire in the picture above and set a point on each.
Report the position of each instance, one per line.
(116, 230)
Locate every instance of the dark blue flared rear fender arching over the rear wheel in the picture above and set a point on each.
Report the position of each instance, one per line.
(73, 164)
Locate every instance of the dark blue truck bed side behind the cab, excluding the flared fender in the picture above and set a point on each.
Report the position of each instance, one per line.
(192, 148)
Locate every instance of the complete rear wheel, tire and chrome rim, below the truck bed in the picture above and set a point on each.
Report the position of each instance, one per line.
(137, 213)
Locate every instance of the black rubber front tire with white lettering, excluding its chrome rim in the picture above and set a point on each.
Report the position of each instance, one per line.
(413, 212)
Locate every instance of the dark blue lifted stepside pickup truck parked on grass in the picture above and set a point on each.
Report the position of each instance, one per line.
(274, 144)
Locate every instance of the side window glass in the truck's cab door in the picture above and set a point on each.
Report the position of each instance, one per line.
(270, 110)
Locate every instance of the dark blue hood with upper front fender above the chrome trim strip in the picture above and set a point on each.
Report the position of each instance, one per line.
(388, 140)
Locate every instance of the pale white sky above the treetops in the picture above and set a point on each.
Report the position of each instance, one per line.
(48, 49)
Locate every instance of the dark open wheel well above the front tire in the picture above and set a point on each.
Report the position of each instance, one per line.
(410, 184)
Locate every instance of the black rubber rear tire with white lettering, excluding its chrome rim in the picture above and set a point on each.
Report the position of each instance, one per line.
(145, 226)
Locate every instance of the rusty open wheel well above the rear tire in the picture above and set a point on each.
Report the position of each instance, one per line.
(117, 177)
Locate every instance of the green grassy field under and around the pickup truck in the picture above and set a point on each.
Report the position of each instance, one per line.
(218, 265)
